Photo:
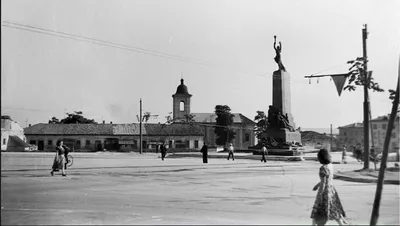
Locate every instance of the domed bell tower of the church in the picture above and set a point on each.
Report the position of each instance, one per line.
(181, 102)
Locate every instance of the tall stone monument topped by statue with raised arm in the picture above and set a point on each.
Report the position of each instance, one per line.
(281, 133)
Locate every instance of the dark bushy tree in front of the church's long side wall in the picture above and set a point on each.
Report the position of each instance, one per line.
(223, 122)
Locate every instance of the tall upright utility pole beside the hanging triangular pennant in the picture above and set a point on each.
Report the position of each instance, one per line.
(366, 99)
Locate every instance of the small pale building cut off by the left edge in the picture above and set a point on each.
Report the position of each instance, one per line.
(12, 136)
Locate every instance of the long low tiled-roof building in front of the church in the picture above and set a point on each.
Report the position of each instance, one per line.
(123, 137)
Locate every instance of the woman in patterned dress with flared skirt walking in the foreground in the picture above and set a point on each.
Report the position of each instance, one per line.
(327, 204)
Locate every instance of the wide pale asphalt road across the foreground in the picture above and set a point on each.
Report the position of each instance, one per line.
(141, 189)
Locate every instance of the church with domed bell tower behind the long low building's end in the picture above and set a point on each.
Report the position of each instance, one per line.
(242, 126)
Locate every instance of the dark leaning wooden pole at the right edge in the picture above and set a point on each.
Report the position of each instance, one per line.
(378, 193)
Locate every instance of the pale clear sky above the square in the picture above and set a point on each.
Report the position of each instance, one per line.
(120, 51)
